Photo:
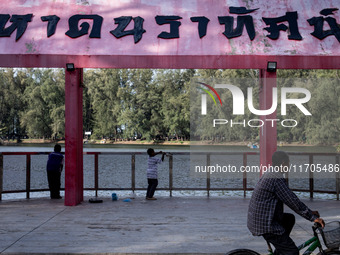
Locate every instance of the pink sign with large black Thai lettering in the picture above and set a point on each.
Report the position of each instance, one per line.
(171, 27)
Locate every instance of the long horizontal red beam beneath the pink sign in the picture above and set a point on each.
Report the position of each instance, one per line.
(171, 62)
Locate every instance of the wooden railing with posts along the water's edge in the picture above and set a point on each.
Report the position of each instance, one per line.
(170, 188)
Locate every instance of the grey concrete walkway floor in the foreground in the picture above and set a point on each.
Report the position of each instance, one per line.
(167, 226)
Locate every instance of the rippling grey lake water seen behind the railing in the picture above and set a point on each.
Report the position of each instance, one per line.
(115, 170)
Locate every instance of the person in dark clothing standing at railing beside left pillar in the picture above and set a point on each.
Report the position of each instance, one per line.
(54, 168)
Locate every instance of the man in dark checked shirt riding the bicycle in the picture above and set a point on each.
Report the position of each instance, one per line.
(265, 214)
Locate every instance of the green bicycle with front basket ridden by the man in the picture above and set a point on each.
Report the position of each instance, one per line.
(330, 235)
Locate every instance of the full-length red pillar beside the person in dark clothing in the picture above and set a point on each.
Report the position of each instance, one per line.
(73, 137)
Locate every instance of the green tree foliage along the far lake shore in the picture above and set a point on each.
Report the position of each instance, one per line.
(155, 104)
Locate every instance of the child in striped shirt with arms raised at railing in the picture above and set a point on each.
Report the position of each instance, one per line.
(152, 172)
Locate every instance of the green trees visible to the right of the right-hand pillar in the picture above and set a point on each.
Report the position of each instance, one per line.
(323, 126)
